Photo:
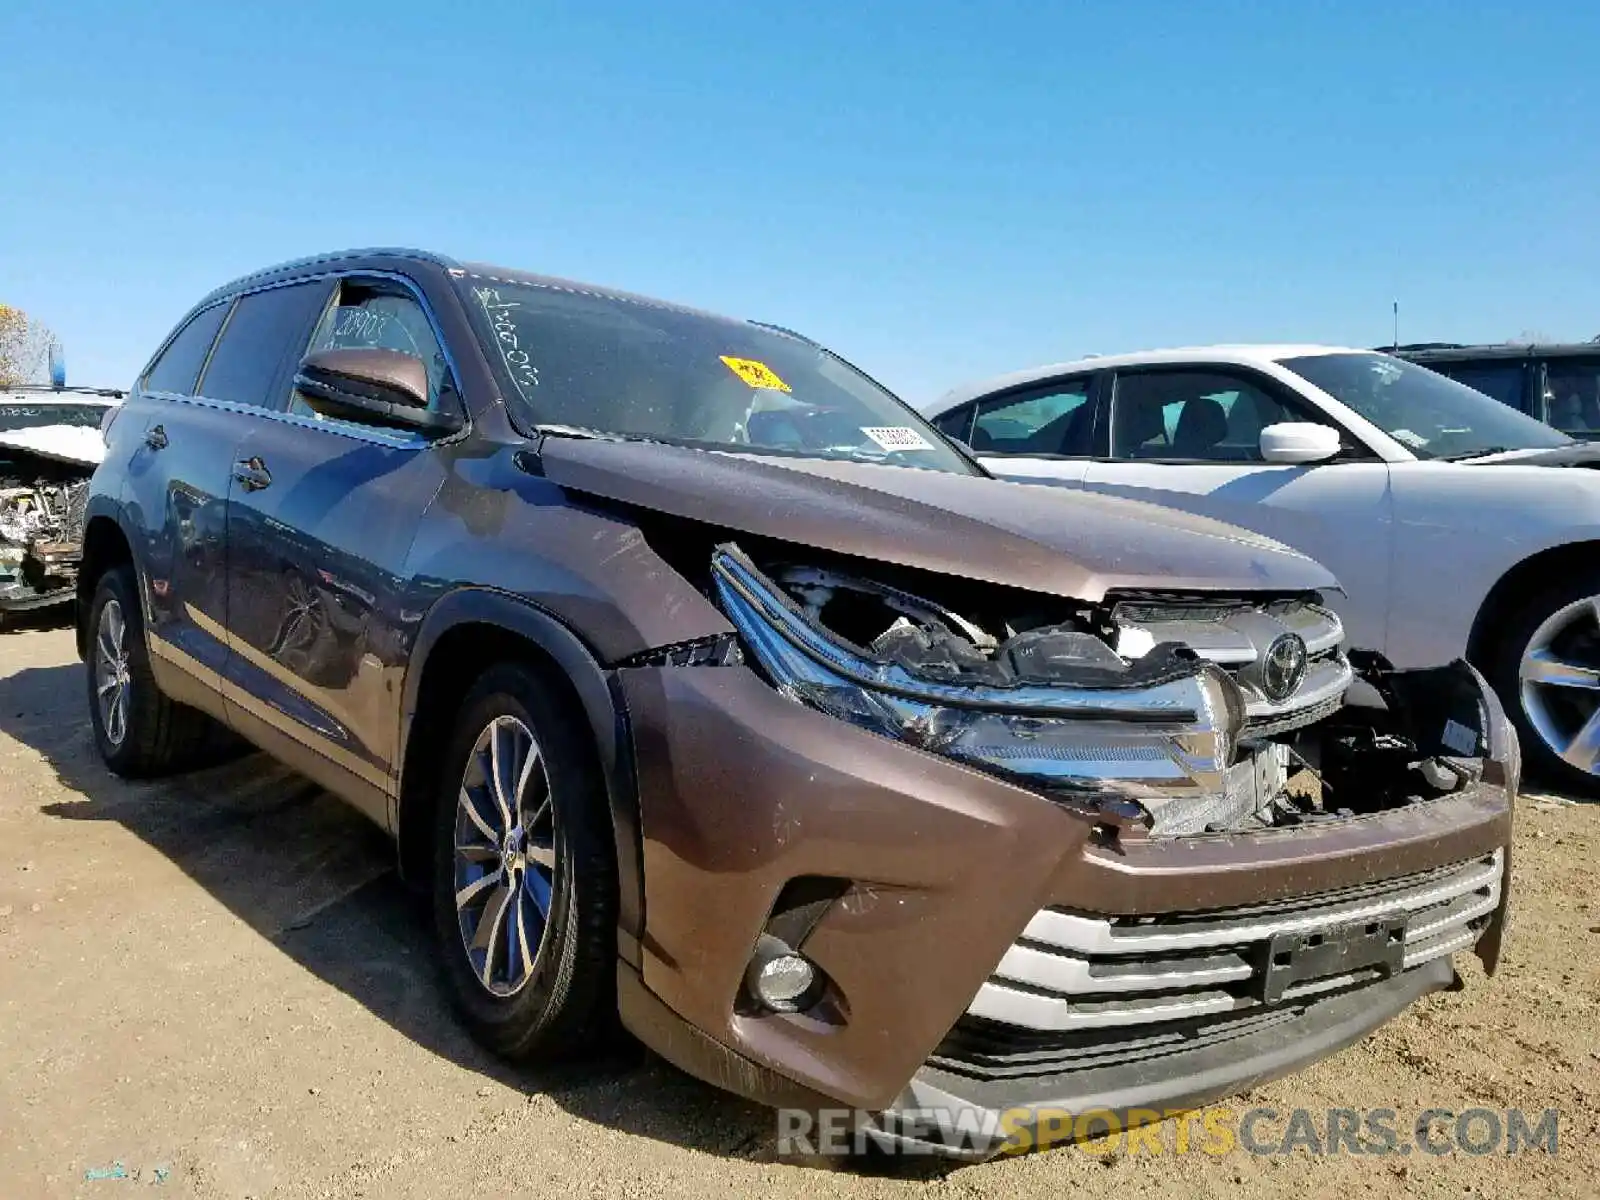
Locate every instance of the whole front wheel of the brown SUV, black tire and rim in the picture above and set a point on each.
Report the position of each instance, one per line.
(526, 873)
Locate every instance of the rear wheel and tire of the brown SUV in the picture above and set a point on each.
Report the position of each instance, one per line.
(142, 734)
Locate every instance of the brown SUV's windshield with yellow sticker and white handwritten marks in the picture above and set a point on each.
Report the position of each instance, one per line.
(636, 369)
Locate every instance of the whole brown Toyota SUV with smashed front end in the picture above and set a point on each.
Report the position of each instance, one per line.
(711, 692)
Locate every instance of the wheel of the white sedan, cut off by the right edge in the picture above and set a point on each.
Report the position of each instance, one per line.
(1546, 670)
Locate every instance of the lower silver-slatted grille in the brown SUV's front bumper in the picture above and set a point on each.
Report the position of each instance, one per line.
(1073, 972)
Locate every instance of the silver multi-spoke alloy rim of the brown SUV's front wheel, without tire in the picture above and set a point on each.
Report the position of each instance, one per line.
(505, 855)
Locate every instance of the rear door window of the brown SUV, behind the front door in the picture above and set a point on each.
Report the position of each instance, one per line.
(265, 332)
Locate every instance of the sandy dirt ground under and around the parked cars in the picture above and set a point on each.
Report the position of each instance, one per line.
(215, 986)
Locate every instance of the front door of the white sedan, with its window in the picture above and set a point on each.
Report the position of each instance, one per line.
(1191, 439)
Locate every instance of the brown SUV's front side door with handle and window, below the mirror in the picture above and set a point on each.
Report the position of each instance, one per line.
(319, 532)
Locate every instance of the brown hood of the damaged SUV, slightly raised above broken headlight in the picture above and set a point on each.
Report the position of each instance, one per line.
(1042, 538)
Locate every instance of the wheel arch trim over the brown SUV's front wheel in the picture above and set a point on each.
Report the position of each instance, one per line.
(462, 636)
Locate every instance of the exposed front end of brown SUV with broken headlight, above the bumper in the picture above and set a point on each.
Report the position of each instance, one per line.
(1159, 716)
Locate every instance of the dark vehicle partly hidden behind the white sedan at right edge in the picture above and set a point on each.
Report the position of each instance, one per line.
(1554, 383)
